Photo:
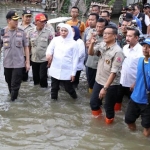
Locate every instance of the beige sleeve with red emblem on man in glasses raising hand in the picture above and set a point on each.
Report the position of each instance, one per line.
(117, 62)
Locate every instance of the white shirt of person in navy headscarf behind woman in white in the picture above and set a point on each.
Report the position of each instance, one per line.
(81, 50)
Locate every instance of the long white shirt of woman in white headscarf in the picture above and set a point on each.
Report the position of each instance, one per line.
(65, 58)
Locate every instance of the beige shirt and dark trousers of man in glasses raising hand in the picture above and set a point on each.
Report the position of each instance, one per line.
(110, 62)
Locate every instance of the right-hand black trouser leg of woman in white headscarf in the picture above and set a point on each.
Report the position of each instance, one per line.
(69, 88)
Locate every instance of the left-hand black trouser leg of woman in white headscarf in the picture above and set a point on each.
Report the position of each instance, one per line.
(54, 88)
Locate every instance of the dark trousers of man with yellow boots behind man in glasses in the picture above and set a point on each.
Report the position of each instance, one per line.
(91, 74)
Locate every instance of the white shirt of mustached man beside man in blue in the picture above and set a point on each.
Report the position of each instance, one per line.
(129, 66)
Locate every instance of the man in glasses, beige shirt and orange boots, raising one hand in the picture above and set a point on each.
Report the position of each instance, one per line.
(107, 76)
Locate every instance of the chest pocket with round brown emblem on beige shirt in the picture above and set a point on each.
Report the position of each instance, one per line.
(107, 62)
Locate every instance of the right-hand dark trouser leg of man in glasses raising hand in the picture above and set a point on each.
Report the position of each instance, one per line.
(110, 100)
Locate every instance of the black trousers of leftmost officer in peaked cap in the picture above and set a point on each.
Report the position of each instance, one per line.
(13, 77)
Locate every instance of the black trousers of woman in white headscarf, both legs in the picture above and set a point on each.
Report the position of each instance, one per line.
(67, 85)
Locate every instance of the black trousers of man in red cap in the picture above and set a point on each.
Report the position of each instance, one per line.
(40, 73)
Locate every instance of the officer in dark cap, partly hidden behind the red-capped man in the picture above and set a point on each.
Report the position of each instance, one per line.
(27, 26)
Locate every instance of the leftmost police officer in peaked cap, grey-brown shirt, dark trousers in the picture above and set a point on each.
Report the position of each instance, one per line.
(15, 44)
